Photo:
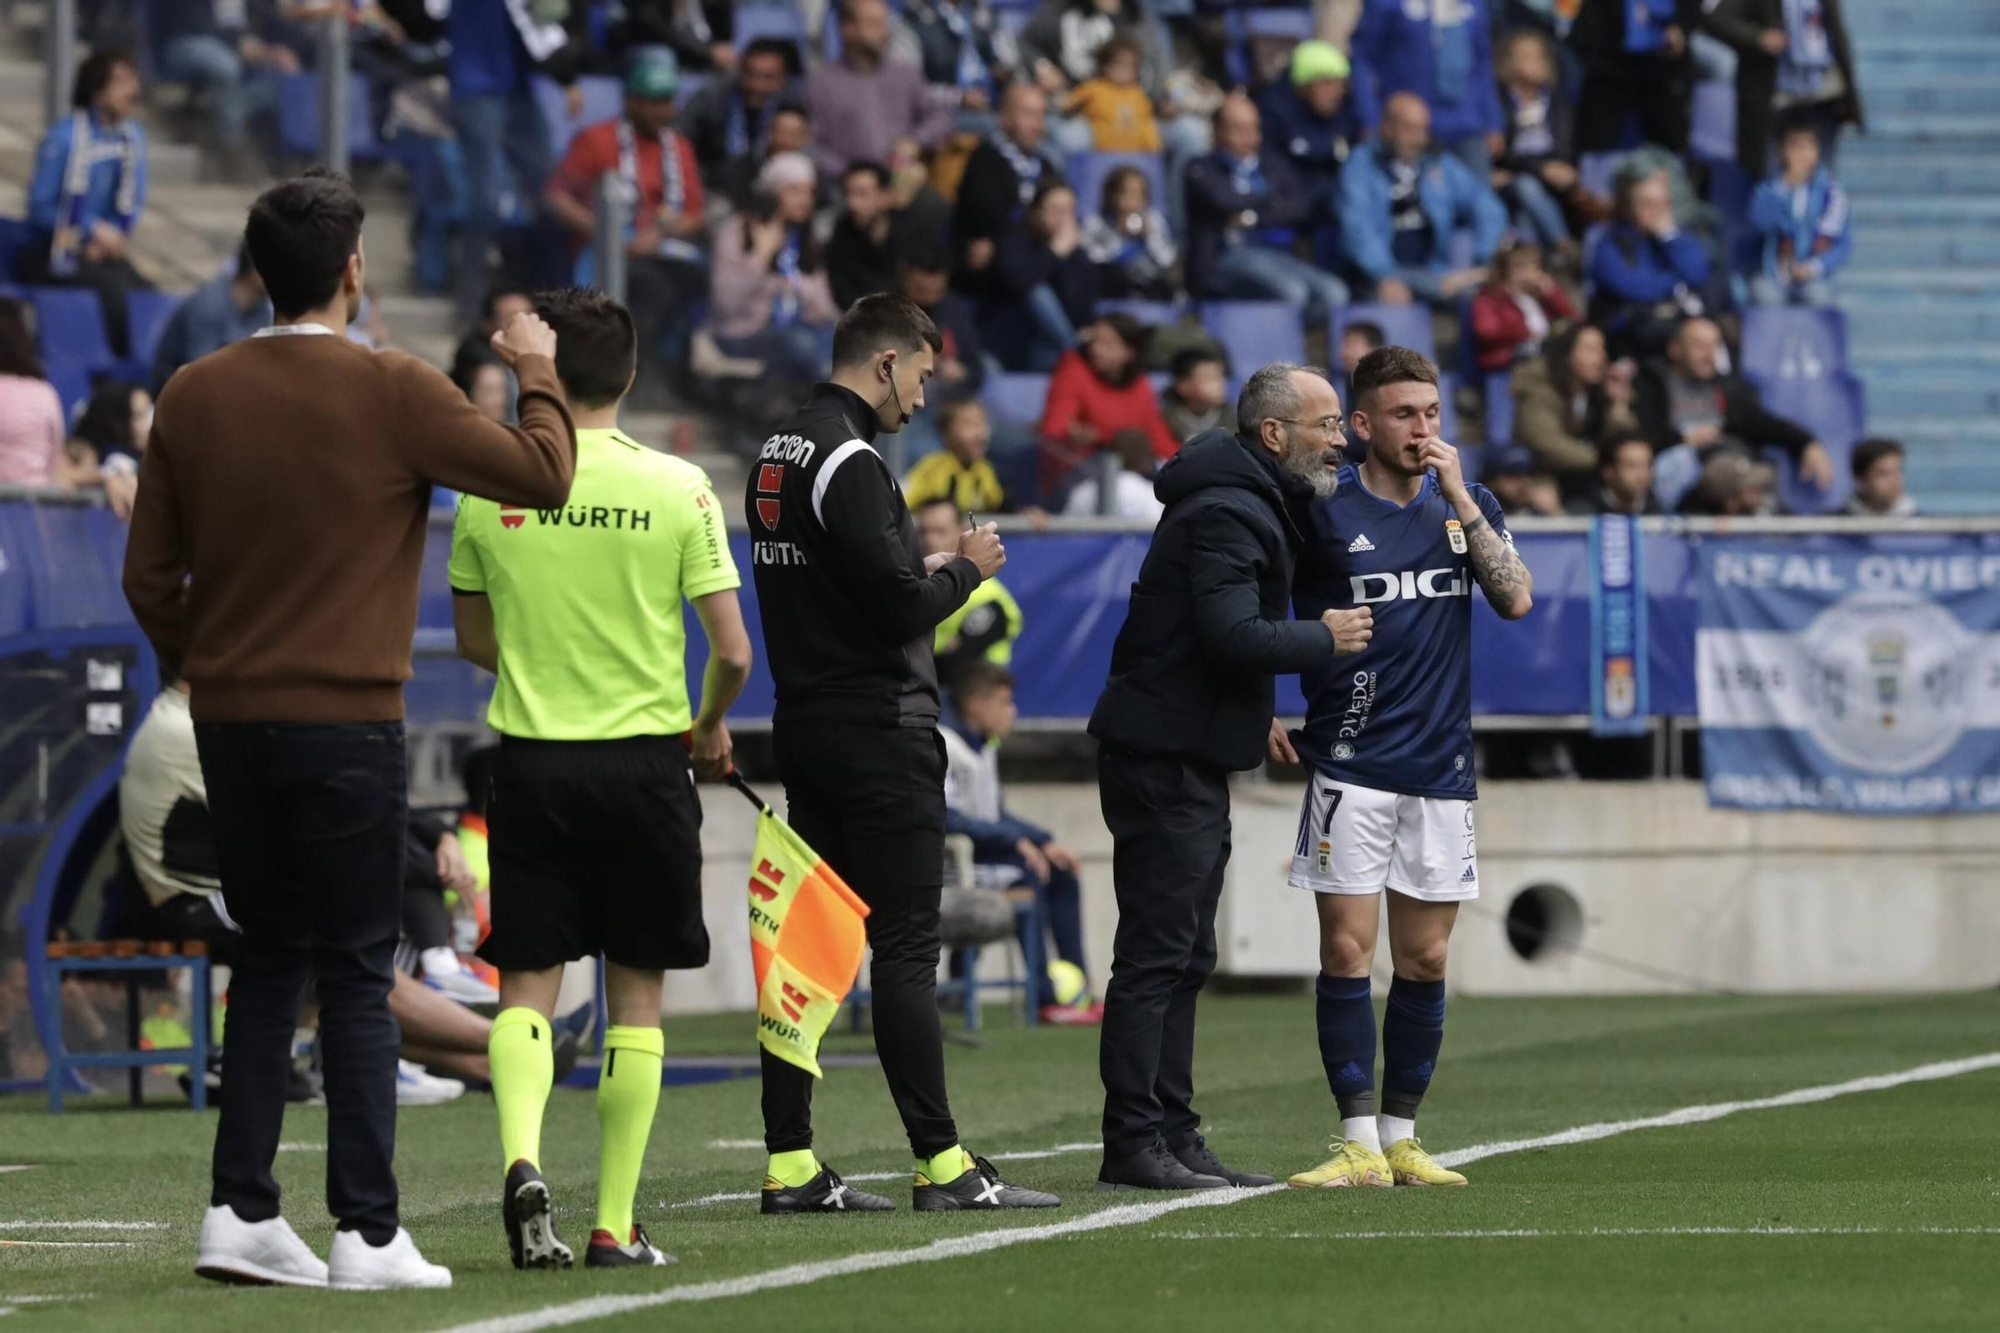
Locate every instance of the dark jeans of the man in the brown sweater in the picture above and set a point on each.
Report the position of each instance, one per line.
(309, 832)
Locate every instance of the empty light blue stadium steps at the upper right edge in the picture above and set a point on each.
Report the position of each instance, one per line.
(1923, 293)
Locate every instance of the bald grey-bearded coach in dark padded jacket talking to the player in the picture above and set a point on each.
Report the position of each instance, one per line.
(1189, 702)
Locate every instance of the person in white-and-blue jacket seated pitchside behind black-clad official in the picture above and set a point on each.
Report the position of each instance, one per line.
(1009, 852)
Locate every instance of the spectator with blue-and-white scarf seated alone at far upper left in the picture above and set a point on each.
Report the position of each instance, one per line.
(89, 191)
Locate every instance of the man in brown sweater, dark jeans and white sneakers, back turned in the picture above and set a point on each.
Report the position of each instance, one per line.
(275, 557)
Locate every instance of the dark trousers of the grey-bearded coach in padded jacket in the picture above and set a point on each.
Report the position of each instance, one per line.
(1171, 846)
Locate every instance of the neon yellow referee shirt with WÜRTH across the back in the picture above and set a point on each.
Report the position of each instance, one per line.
(587, 597)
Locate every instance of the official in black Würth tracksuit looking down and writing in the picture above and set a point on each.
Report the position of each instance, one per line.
(851, 605)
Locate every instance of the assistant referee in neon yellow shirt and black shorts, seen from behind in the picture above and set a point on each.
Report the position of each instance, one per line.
(597, 832)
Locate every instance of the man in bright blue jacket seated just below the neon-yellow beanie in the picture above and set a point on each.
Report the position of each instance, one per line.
(1401, 201)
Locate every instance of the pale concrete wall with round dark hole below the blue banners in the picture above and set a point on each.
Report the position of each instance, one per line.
(1669, 894)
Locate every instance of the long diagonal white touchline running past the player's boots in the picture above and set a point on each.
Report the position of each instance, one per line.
(1139, 1214)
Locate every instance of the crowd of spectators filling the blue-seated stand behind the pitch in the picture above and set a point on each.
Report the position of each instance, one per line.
(1085, 195)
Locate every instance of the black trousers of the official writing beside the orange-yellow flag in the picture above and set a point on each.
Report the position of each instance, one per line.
(871, 802)
